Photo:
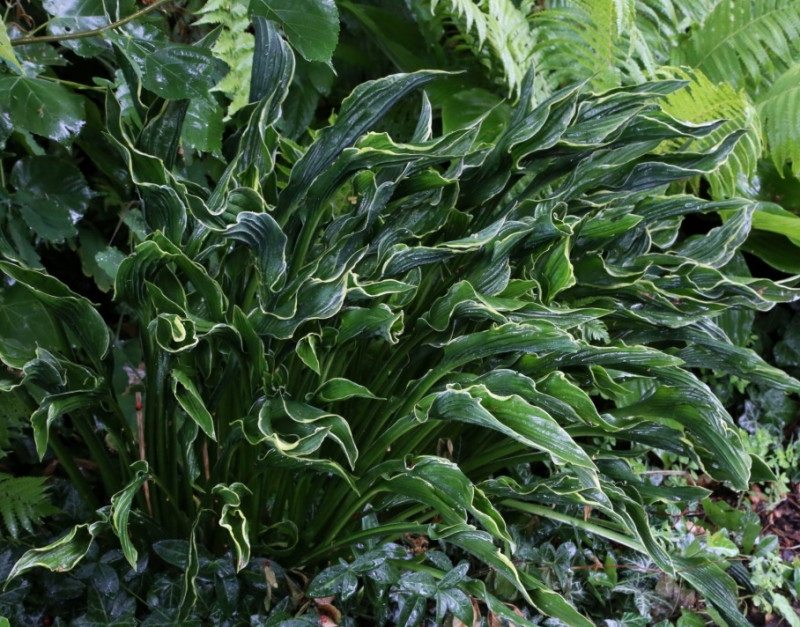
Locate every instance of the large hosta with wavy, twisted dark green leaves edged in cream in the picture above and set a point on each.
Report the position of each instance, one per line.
(329, 351)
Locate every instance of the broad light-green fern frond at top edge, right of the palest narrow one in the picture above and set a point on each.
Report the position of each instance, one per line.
(592, 38)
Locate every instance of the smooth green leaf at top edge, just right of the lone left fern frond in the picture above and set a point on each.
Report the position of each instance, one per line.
(312, 26)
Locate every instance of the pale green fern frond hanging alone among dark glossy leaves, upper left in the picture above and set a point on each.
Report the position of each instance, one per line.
(234, 46)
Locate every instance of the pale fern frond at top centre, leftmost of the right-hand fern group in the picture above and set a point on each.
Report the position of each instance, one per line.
(498, 27)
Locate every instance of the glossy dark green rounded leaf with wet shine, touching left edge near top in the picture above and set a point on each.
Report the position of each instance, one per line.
(42, 107)
